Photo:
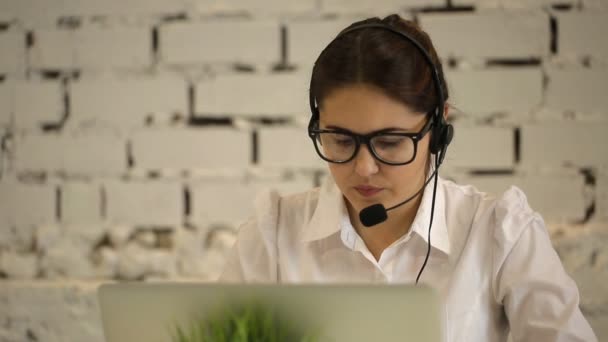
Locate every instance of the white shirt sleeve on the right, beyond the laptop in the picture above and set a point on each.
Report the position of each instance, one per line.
(540, 300)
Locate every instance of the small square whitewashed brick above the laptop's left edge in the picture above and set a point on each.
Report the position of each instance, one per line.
(80, 203)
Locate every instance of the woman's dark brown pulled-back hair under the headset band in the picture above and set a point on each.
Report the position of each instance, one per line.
(382, 59)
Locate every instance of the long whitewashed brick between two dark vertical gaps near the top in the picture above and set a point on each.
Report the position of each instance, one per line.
(228, 40)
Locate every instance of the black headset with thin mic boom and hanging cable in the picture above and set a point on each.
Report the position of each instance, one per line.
(441, 131)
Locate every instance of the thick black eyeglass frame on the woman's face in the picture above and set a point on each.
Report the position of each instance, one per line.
(359, 139)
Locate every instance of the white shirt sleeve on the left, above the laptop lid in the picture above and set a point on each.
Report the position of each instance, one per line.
(253, 259)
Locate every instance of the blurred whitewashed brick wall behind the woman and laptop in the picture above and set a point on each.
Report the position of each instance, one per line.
(135, 133)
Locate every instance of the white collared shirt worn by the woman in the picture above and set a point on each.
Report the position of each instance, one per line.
(491, 259)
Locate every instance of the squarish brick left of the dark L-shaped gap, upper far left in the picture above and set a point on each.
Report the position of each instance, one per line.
(48, 106)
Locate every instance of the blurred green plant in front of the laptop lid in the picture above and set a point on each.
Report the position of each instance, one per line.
(250, 322)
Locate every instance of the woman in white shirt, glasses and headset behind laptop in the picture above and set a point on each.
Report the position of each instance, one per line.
(378, 103)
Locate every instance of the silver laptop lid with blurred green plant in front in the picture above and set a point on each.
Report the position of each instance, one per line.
(193, 312)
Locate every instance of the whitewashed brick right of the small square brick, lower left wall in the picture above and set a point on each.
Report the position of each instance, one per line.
(144, 203)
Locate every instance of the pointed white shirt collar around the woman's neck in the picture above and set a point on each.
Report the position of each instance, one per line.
(331, 209)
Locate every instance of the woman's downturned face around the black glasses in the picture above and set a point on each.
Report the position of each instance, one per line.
(365, 180)
